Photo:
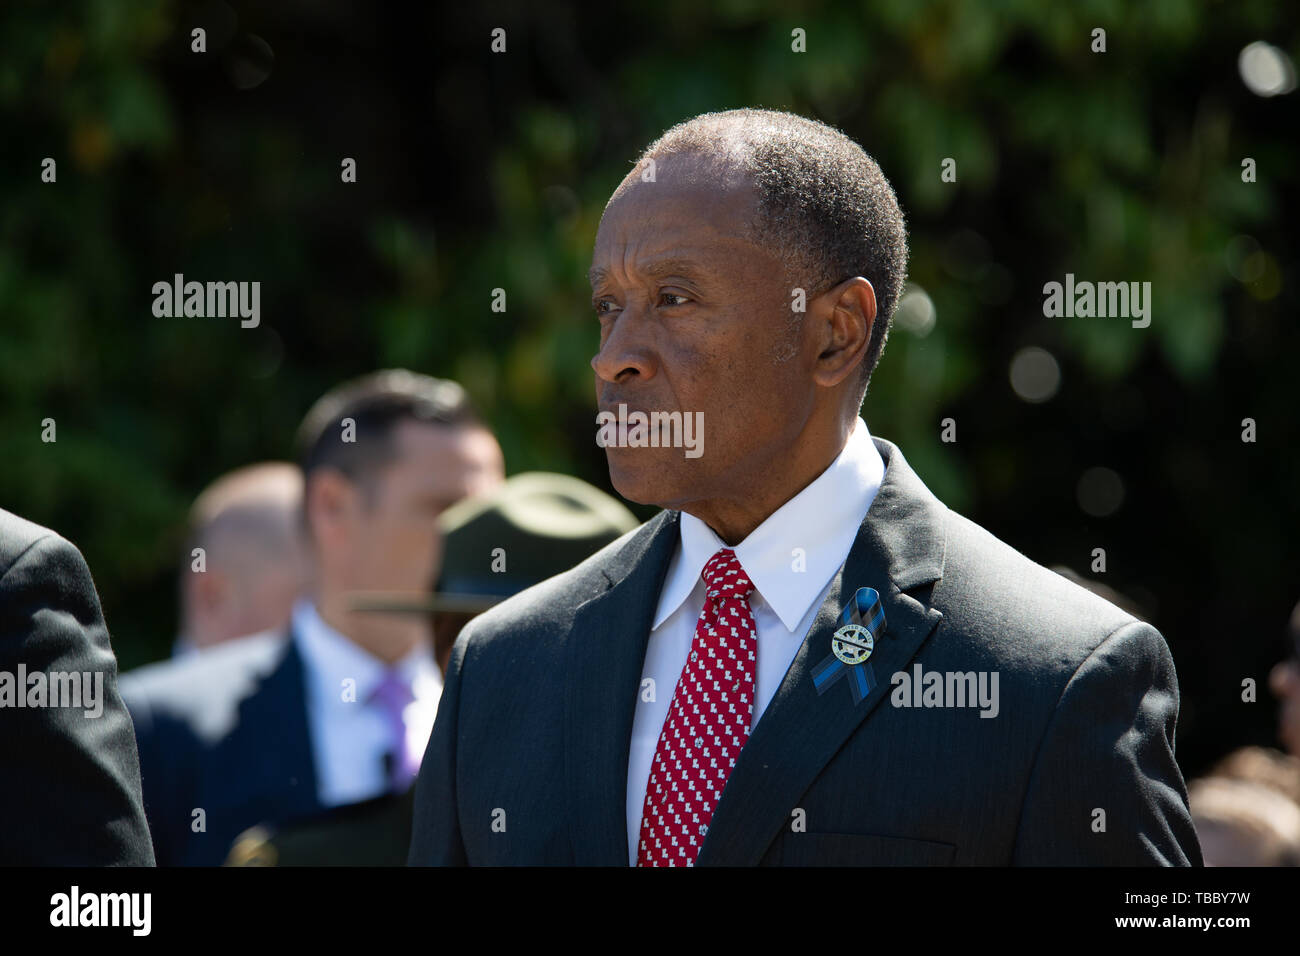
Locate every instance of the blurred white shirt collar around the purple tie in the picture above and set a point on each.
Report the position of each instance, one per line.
(335, 659)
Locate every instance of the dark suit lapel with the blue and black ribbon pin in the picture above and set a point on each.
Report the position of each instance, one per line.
(900, 547)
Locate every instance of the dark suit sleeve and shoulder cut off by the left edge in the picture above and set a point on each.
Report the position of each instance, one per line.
(72, 784)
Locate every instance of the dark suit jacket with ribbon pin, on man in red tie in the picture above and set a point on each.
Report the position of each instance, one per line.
(528, 759)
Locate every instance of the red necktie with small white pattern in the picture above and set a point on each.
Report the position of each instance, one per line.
(708, 723)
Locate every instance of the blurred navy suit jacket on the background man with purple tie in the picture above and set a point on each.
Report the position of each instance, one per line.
(227, 733)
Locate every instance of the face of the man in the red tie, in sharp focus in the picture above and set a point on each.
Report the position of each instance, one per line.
(695, 318)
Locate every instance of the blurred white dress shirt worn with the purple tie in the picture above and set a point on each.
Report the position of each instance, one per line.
(350, 738)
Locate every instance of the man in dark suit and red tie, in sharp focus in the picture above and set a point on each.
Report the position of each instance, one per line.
(552, 745)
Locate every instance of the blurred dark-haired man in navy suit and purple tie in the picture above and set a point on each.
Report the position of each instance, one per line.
(265, 733)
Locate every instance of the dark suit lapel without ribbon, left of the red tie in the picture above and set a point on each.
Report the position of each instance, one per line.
(605, 659)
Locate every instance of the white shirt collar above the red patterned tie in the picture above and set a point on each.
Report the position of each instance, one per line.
(822, 522)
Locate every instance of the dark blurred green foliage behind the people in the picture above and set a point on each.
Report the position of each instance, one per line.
(482, 171)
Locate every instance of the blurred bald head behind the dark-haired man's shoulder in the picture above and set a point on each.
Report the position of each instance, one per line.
(248, 525)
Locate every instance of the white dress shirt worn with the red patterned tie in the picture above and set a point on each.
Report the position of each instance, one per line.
(792, 560)
